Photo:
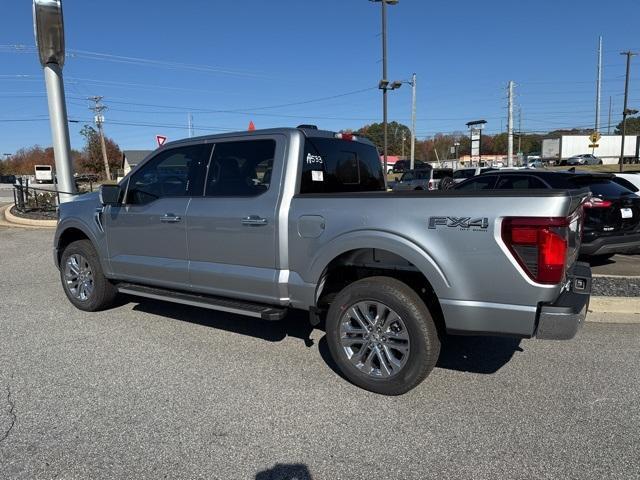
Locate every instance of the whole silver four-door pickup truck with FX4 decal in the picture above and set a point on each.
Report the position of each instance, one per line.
(257, 223)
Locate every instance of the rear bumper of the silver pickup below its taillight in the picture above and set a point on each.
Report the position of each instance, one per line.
(561, 319)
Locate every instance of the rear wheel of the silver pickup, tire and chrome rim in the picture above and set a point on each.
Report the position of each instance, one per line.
(382, 336)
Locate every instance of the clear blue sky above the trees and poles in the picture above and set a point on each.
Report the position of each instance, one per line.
(156, 61)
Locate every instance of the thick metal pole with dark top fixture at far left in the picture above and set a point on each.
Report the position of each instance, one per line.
(49, 32)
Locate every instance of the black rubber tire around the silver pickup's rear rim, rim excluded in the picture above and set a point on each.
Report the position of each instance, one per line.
(423, 337)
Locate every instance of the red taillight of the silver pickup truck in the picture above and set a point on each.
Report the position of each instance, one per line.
(540, 245)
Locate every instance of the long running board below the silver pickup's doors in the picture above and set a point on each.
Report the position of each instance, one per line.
(257, 310)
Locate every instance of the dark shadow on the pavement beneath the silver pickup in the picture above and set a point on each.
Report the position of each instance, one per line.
(475, 354)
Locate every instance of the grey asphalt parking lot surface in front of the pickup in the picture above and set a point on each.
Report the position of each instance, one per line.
(154, 390)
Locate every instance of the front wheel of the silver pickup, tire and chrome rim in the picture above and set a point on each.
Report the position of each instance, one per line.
(82, 278)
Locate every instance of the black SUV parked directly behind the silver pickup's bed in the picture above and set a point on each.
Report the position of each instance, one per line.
(612, 216)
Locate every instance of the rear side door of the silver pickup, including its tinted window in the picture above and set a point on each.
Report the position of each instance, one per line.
(231, 230)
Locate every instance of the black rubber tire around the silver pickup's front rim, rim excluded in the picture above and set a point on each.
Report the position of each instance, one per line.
(103, 293)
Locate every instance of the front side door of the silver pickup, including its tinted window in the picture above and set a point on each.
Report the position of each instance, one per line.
(147, 234)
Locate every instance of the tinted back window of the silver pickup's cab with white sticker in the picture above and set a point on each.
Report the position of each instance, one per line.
(335, 165)
